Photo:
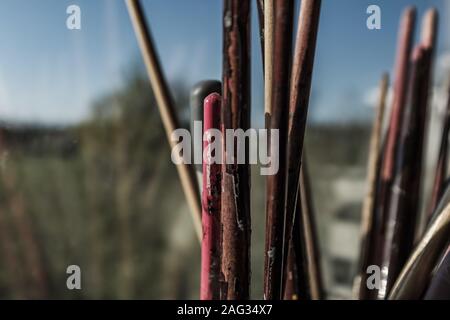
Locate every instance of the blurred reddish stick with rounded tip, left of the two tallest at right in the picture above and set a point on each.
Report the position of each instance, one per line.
(405, 38)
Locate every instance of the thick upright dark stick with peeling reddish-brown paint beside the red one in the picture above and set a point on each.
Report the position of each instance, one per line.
(235, 211)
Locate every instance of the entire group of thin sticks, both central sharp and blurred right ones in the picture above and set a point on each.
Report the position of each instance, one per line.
(391, 237)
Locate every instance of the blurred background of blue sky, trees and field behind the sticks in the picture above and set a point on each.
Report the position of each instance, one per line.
(85, 170)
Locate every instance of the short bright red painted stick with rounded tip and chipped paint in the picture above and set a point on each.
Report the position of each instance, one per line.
(210, 269)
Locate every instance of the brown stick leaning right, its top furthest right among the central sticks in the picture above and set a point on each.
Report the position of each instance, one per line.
(301, 78)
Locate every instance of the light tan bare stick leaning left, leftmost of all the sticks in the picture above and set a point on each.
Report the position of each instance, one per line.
(165, 106)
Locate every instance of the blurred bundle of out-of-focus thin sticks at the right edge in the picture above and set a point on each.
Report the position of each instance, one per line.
(410, 258)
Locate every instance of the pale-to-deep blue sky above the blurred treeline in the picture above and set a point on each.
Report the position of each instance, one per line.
(50, 74)
